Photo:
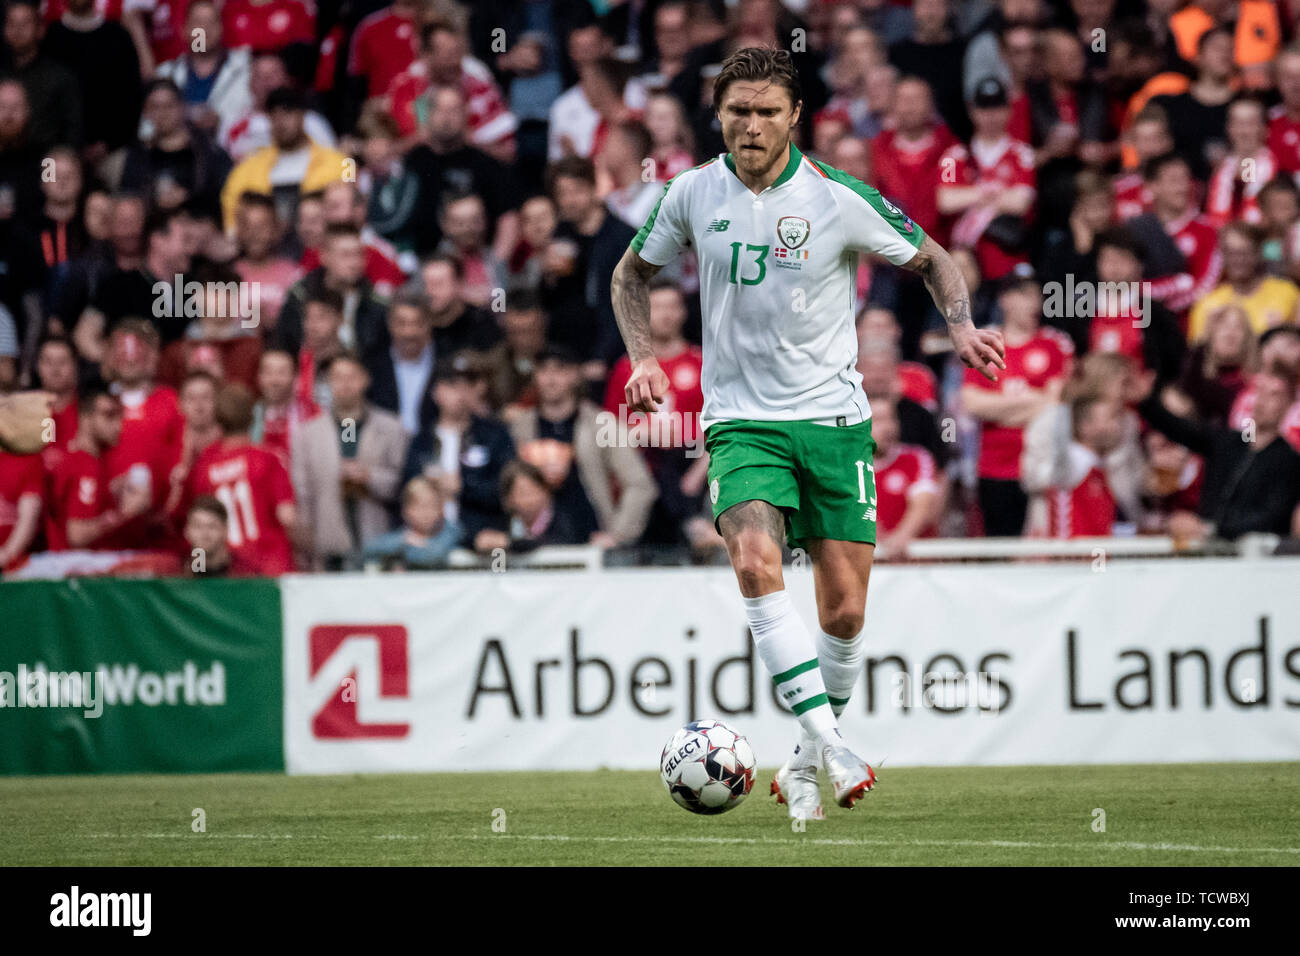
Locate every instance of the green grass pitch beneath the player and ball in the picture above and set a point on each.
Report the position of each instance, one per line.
(1158, 815)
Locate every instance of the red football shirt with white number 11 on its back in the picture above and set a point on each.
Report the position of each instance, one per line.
(252, 482)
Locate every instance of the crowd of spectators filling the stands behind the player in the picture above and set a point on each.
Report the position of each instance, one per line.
(327, 287)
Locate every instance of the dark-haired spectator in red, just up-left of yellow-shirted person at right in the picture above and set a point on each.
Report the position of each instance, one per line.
(1184, 261)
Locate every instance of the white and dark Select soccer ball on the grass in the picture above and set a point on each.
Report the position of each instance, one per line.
(708, 767)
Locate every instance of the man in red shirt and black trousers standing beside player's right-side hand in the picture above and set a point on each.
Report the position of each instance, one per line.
(1038, 364)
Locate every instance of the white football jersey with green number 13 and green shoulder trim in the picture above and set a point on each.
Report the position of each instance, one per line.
(778, 284)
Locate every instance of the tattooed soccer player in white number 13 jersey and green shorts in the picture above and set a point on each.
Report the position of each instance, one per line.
(787, 423)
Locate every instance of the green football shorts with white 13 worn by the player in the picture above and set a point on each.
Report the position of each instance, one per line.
(821, 477)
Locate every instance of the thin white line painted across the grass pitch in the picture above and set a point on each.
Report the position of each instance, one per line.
(731, 841)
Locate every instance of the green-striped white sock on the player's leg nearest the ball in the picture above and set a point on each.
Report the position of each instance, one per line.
(790, 656)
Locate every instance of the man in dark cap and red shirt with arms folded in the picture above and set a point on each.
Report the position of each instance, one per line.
(990, 181)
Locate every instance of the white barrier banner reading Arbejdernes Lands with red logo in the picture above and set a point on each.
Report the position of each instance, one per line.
(993, 664)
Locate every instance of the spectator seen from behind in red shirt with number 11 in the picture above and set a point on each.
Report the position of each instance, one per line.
(252, 483)
